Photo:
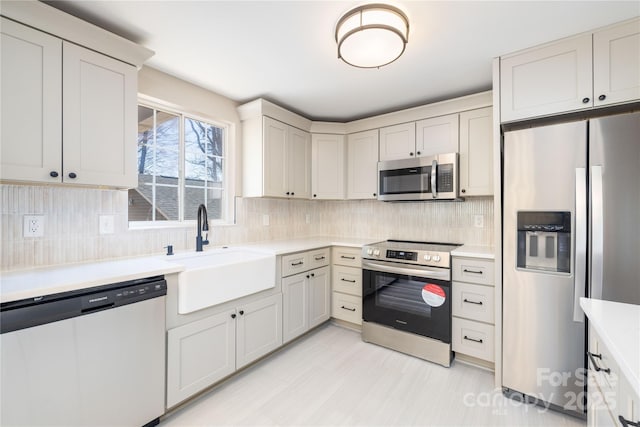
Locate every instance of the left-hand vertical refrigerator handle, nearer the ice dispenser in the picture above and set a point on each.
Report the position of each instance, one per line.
(581, 243)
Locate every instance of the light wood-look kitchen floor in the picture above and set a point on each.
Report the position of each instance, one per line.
(330, 377)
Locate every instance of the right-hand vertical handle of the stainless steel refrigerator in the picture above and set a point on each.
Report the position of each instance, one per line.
(597, 232)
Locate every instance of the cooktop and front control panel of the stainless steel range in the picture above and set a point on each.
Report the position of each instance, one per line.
(432, 254)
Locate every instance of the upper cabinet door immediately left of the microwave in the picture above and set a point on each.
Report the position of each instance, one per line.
(362, 165)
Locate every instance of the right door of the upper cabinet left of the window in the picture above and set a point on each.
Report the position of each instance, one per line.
(99, 119)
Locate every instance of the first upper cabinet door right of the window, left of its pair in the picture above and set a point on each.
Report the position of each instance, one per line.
(275, 153)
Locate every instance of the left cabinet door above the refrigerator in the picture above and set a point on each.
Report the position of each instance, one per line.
(549, 79)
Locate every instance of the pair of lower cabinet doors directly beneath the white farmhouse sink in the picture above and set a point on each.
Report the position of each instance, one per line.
(203, 352)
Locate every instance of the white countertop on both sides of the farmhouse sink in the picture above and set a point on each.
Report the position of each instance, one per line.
(24, 284)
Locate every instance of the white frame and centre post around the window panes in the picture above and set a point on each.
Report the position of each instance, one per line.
(229, 162)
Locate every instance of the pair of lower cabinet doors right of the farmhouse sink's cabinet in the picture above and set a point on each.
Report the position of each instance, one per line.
(306, 301)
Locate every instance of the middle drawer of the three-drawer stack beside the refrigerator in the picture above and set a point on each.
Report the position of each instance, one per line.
(474, 302)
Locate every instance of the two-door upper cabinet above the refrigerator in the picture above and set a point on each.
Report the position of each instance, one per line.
(573, 74)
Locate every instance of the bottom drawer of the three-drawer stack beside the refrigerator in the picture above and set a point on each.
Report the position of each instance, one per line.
(473, 339)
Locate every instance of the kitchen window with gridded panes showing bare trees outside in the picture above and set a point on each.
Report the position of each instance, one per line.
(182, 163)
